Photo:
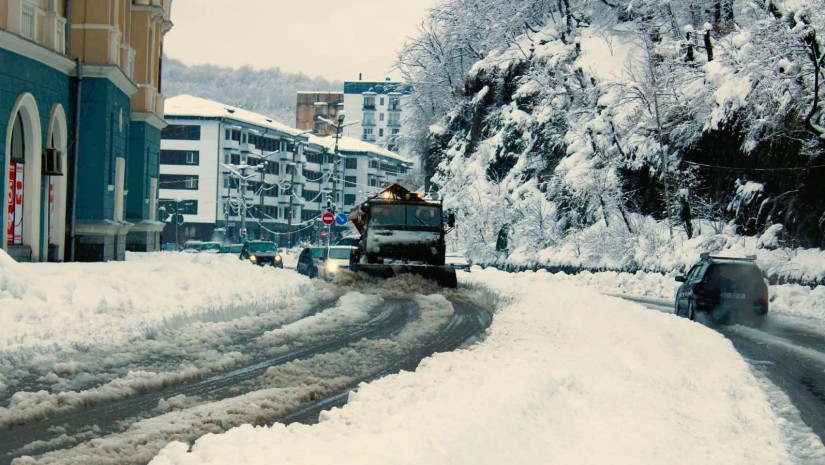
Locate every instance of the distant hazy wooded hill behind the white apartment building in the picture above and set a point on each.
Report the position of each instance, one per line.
(269, 92)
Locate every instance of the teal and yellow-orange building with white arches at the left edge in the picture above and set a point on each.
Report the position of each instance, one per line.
(80, 132)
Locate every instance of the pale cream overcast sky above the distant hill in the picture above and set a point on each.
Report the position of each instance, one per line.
(333, 39)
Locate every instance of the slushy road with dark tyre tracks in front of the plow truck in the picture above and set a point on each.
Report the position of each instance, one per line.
(125, 407)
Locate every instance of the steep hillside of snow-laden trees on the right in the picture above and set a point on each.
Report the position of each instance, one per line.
(571, 132)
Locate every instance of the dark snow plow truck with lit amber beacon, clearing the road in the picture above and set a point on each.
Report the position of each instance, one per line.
(401, 232)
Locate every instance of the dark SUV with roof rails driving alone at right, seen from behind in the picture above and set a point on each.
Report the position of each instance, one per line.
(728, 290)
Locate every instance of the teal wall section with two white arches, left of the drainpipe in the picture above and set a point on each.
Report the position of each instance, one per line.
(35, 109)
